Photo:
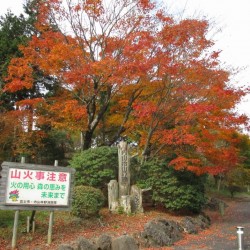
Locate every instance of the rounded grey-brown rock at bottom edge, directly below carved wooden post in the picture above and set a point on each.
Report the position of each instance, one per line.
(124, 242)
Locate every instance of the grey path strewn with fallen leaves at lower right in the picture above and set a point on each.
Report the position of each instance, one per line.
(222, 233)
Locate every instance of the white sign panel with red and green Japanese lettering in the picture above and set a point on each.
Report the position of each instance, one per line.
(37, 187)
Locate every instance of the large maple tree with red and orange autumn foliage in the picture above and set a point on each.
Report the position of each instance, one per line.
(128, 69)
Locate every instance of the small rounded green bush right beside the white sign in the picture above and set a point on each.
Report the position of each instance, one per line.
(87, 201)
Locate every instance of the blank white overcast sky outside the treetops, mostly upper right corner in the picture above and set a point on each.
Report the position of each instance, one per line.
(232, 16)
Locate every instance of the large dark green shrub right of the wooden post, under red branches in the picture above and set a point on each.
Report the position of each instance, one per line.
(176, 190)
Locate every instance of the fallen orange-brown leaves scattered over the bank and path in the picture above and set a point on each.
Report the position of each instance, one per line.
(66, 229)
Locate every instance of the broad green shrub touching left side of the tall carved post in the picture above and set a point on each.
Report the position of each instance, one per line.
(96, 166)
